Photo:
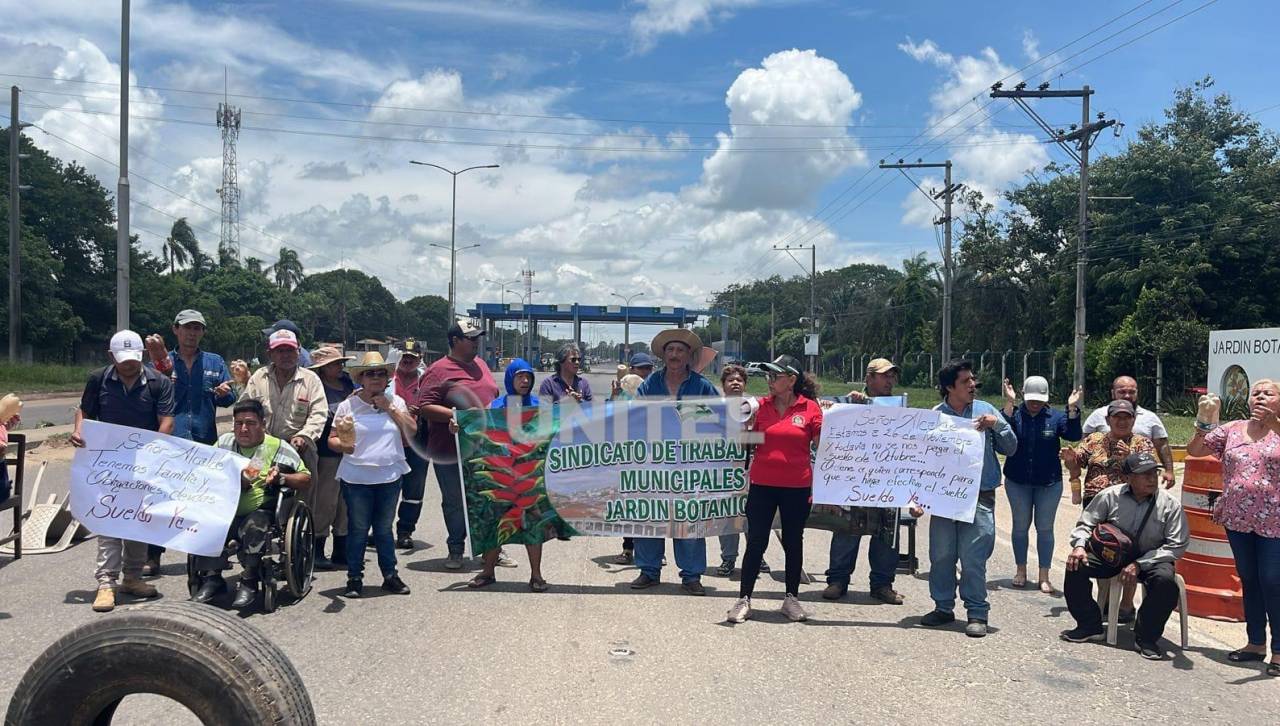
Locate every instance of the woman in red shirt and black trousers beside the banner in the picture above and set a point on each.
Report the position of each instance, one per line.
(781, 481)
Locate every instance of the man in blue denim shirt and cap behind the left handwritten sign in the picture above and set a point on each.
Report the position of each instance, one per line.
(202, 383)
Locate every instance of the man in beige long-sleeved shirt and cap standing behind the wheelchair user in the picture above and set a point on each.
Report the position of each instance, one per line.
(292, 395)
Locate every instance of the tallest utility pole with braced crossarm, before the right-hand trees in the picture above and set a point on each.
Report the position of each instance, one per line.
(1084, 138)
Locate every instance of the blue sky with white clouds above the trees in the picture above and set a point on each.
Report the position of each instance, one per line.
(678, 209)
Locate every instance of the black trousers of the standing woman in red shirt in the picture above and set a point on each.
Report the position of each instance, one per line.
(792, 505)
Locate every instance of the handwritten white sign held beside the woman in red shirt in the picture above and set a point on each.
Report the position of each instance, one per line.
(879, 456)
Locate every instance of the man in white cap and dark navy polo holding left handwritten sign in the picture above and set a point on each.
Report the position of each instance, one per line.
(126, 394)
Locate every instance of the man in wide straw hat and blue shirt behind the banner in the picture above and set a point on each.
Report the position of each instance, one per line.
(676, 380)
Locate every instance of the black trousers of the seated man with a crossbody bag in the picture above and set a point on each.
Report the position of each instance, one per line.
(1158, 604)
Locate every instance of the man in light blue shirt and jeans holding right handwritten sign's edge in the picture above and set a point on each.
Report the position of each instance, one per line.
(970, 544)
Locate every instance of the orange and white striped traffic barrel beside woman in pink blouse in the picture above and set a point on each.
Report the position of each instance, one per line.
(1213, 587)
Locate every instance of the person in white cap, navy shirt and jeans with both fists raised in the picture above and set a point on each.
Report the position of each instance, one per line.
(1034, 477)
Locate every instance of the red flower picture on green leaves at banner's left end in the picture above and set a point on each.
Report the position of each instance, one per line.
(504, 480)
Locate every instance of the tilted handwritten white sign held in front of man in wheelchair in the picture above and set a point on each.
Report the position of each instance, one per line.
(148, 487)
